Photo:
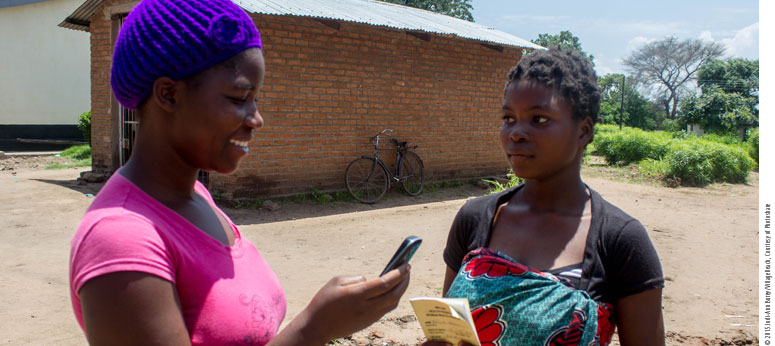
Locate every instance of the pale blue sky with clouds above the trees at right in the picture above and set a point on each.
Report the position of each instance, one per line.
(610, 30)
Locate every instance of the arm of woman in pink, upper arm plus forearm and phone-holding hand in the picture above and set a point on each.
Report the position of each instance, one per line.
(134, 308)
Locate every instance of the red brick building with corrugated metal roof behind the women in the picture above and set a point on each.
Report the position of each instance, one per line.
(335, 79)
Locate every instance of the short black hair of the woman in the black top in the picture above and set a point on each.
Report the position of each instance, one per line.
(568, 72)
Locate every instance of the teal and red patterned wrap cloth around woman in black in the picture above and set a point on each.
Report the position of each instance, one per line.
(515, 305)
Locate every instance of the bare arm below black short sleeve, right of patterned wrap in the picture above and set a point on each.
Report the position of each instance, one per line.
(639, 319)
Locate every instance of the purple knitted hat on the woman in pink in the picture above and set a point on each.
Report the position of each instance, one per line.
(176, 39)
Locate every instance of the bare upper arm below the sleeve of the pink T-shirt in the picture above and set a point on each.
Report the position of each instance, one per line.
(132, 308)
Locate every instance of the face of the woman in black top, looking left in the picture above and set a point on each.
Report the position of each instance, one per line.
(539, 134)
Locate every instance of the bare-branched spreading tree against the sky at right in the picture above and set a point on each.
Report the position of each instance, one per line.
(667, 66)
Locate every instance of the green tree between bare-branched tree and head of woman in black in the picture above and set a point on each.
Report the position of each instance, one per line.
(638, 111)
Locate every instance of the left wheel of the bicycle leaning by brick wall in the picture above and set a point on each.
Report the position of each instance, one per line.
(366, 180)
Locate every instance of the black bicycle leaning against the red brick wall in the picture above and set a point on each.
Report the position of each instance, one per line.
(368, 179)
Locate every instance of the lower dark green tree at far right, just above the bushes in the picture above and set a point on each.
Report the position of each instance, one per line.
(717, 111)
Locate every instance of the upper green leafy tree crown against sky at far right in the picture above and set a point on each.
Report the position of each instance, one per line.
(734, 75)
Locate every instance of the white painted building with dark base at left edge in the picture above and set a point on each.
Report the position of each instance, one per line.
(44, 72)
